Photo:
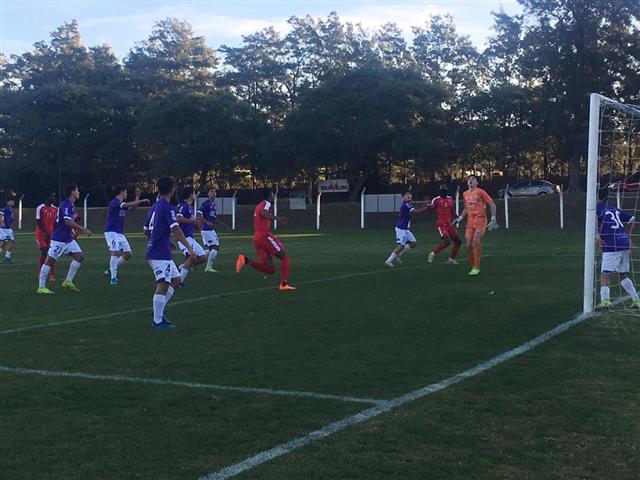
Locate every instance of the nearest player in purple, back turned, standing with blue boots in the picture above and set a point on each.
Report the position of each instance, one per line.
(162, 223)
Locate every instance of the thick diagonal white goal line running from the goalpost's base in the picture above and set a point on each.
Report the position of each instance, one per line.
(372, 412)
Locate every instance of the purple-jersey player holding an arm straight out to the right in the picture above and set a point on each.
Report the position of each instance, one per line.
(114, 230)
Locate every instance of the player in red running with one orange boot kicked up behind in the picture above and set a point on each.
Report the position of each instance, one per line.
(266, 244)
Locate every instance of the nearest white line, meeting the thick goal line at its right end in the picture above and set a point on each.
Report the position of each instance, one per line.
(176, 383)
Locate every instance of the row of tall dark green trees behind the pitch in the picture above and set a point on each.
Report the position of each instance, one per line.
(325, 99)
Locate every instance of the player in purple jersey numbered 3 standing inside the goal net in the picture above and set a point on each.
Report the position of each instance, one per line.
(614, 230)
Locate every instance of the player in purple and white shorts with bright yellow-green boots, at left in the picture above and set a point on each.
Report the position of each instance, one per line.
(63, 242)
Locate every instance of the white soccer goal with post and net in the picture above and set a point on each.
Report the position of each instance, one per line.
(613, 177)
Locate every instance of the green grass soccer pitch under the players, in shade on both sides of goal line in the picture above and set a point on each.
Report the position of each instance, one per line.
(82, 393)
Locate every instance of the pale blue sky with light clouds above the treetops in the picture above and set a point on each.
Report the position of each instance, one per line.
(122, 23)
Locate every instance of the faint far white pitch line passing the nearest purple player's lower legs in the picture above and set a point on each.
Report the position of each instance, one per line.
(192, 300)
